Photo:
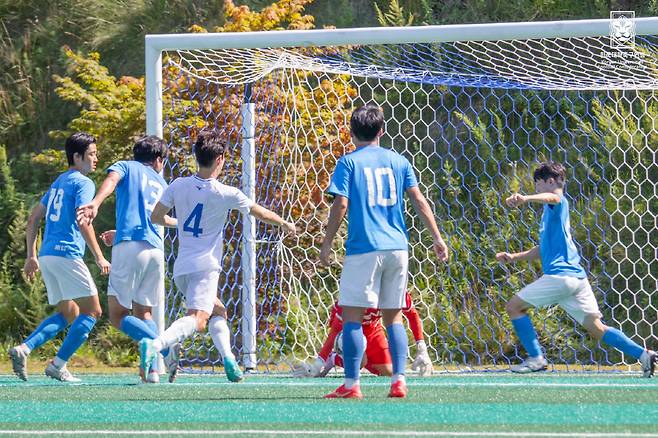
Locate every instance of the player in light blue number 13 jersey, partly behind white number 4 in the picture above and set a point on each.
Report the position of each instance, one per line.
(137, 277)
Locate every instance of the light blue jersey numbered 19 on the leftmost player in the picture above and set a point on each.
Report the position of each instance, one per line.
(62, 236)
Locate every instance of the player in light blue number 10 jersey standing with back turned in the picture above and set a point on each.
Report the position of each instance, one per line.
(369, 185)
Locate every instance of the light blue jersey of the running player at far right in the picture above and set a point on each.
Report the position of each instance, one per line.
(559, 255)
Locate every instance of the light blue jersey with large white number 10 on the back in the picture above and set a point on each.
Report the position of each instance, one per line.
(374, 181)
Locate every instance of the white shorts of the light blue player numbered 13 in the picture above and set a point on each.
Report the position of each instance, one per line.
(137, 273)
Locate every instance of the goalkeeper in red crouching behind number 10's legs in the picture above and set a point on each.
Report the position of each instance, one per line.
(377, 355)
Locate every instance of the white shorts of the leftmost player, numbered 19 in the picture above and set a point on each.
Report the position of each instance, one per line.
(66, 279)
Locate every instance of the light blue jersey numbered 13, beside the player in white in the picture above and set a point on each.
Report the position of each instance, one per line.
(138, 191)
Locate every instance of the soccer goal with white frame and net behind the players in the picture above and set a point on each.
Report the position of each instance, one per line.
(474, 108)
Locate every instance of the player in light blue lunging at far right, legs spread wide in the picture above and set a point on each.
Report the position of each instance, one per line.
(564, 281)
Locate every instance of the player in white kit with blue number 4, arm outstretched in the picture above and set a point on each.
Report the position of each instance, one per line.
(202, 205)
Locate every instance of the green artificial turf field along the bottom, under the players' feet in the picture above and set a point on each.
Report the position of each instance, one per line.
(490, 404)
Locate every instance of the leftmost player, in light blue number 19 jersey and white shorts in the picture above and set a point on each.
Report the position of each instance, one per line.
(68, 282)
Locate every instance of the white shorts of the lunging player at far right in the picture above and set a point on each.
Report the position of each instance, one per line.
(573, 294)
